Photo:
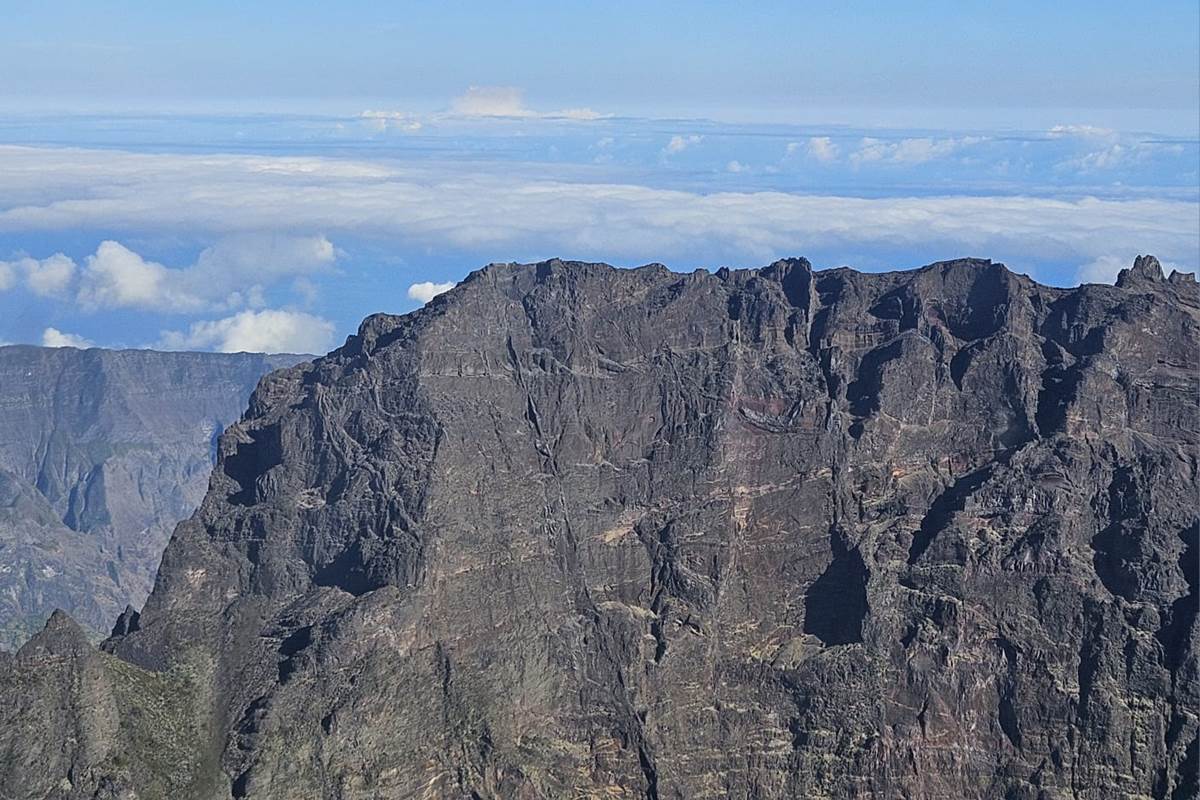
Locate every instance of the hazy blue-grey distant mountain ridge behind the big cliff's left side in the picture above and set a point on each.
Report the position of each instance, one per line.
(103, 453)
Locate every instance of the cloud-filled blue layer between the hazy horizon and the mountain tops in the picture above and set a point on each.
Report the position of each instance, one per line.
(237, 251)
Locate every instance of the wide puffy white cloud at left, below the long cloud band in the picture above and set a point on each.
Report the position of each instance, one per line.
(227, 275)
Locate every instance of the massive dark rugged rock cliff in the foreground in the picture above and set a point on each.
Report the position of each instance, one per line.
(577, 532)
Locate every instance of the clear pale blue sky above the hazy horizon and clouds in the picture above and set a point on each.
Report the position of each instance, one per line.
(764, 61)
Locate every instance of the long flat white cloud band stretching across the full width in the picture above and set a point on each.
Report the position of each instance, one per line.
(506, 209)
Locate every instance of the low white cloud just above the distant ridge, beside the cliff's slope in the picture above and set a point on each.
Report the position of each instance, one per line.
(256, 332)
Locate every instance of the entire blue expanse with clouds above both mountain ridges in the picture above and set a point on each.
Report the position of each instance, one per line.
(263, 176)
